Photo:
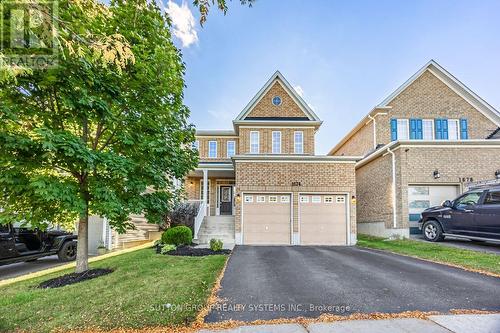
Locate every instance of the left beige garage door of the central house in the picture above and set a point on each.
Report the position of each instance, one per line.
(266, 219)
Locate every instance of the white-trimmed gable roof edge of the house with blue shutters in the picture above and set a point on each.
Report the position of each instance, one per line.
(448, 79)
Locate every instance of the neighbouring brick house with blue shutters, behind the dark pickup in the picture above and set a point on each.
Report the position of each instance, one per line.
(427, 142)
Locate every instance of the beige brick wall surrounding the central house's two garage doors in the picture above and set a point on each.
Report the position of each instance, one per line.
(278, 177)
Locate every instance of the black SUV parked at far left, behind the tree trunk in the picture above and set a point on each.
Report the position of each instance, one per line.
(19, 244)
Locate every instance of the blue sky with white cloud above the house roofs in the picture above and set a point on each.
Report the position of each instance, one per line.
(343, 57)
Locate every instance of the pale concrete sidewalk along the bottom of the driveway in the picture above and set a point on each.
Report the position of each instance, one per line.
(487, 323)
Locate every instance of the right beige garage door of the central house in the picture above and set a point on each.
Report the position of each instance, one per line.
(323, 219)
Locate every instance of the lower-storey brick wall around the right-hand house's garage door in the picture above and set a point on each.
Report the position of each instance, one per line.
(415, 166)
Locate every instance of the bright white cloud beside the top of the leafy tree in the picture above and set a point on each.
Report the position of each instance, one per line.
(183, 23)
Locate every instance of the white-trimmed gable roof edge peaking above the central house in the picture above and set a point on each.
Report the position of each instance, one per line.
(278, 77)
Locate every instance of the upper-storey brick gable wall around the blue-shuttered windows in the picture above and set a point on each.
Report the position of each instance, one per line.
(429, 98)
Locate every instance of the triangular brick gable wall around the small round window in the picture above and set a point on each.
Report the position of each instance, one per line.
(265, 107)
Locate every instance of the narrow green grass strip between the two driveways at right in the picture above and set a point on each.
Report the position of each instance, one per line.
(426, 250)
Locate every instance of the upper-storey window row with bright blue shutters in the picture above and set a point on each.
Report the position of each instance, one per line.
(429, 129)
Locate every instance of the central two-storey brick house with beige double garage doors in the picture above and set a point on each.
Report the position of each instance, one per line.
(261, 183)
